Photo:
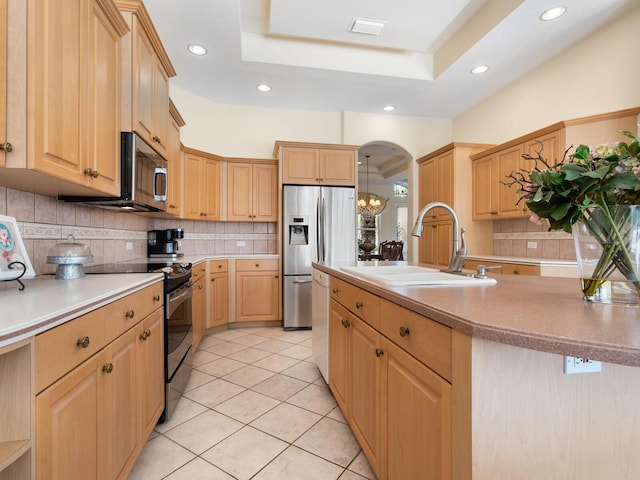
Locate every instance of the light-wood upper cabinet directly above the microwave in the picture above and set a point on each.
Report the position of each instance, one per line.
(146, 71)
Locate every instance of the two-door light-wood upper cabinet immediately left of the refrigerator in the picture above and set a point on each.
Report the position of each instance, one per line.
(252, 191)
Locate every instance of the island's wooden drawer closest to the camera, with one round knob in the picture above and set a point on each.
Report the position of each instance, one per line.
(425, 339)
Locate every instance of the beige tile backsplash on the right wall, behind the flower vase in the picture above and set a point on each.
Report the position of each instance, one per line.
(521, 238)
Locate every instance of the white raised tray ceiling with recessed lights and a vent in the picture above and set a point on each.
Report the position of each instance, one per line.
(420, 62)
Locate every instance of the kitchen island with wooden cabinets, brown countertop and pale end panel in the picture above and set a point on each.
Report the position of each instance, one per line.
(486, 365)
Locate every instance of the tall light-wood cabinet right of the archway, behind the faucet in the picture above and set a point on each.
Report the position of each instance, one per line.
(445, 176)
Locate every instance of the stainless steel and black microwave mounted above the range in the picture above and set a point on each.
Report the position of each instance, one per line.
(143, 179)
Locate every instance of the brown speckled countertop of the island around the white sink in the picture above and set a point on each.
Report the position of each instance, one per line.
(539, 313)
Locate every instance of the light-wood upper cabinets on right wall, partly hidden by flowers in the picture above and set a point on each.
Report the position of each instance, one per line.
(493, 200)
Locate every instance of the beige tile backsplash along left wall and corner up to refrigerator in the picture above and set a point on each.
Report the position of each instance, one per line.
(114, 236)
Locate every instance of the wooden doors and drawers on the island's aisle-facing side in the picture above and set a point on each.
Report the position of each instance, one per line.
(399, 409)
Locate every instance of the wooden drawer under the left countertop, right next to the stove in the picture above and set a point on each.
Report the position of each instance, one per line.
(123, 314)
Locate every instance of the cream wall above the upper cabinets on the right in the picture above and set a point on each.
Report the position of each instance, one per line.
(598, 75)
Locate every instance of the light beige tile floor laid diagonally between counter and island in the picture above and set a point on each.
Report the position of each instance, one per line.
(256, 407)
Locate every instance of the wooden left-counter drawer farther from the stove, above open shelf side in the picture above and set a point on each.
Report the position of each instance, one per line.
(62, 348)
